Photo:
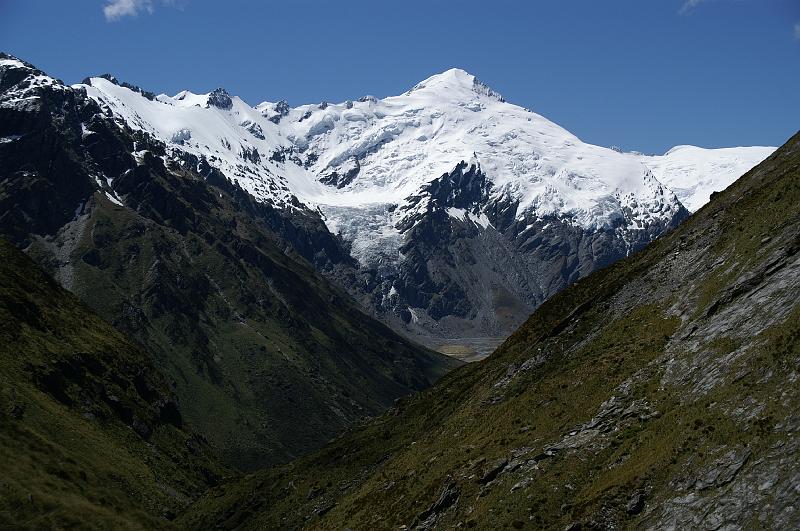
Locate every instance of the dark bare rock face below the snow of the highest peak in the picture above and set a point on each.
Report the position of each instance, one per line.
(471, 264)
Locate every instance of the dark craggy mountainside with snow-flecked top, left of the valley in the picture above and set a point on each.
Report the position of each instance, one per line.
(217, 286)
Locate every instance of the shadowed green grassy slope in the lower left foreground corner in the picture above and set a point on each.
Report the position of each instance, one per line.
(90, 433)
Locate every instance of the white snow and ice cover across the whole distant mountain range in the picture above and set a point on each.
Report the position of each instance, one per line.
(357, 161)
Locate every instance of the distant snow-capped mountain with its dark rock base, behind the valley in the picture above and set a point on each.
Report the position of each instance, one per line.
(463, 211)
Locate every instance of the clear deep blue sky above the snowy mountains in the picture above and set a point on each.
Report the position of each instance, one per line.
(639, 74)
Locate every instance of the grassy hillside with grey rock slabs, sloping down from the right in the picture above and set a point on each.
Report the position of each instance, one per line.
(660, 392)
